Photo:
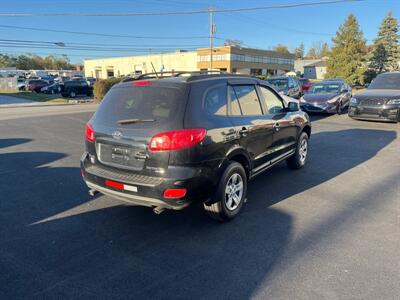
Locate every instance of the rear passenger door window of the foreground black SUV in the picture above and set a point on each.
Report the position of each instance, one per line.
(248, 100)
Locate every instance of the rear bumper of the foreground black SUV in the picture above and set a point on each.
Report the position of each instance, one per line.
(199, 182)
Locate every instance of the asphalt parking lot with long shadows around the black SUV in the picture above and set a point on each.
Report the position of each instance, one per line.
(328, 231)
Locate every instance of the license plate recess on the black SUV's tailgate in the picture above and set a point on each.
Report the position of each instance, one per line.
(119, 156)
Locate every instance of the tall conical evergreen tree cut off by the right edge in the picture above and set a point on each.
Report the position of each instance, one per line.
(386, 54)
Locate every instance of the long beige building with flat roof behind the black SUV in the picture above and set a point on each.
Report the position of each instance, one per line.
(227, 58)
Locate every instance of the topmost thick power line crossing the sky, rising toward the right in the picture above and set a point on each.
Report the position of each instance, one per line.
(175, 13)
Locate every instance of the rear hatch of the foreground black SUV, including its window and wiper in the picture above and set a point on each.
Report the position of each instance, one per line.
(129, 116)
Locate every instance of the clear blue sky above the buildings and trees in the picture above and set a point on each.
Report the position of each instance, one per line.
(259, 29)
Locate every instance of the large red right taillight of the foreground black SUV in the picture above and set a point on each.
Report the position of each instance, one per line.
(177, 139)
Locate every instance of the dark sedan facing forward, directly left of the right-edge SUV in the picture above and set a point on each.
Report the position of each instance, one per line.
(329, 96)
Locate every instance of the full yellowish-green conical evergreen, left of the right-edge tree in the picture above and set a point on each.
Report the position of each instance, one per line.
(347, 58)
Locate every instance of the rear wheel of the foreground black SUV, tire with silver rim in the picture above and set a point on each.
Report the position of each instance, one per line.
(228, 206)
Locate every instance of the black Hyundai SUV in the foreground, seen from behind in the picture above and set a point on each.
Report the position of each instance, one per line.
(167, 142)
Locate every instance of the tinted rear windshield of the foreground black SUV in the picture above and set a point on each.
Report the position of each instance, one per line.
(160, 104)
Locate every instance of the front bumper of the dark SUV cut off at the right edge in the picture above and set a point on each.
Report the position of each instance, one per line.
(385, 113)
